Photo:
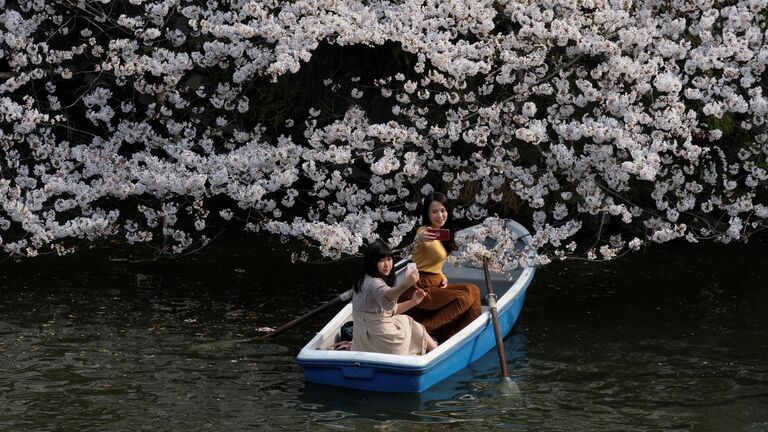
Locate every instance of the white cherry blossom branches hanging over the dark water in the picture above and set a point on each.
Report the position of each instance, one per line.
(603, 126)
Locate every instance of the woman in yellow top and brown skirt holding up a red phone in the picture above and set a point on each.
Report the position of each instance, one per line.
(447, 308)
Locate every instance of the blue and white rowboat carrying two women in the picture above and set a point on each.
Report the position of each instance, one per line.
(416, 373)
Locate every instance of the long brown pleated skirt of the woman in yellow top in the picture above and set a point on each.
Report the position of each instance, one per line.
(444, 311)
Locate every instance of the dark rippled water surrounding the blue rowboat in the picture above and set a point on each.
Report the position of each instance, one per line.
(675, 339)
